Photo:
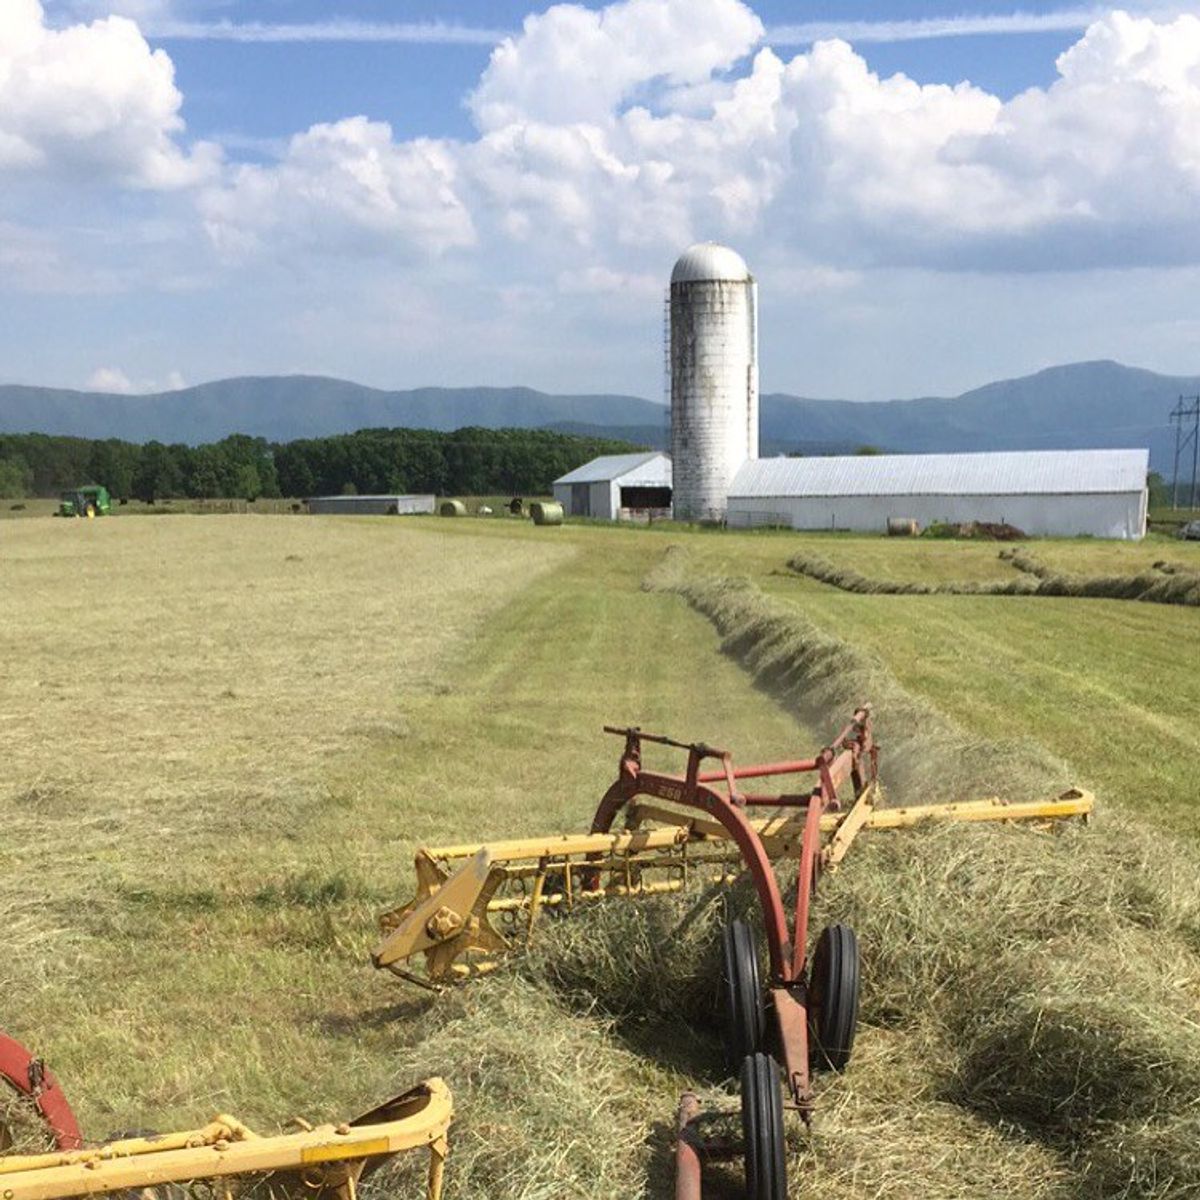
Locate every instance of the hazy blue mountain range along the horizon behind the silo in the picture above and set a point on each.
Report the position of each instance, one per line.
(1066, 407)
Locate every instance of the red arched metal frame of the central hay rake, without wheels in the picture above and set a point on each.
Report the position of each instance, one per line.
(851, 757)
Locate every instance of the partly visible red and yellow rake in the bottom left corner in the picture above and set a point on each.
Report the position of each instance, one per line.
(221, 1161)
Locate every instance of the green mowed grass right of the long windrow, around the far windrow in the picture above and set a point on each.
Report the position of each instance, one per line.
(1109, 686)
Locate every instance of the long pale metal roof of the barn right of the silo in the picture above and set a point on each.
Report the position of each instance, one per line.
(1021, 473)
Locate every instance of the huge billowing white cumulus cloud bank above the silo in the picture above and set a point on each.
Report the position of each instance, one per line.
(645, 125)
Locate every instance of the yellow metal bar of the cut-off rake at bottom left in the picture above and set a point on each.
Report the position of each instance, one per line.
(322, 1163)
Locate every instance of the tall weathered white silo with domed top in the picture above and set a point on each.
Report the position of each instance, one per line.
(715, 377)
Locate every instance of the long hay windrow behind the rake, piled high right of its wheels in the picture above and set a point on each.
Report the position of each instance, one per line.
(1034, 998)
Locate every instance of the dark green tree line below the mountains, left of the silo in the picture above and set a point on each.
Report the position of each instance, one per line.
(466, 463)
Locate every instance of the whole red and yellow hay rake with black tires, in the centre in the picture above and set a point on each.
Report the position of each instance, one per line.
(475, 903)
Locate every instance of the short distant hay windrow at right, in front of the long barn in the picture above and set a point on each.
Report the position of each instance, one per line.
(1157, 586)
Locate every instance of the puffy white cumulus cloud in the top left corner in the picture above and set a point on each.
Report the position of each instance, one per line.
(92, 101)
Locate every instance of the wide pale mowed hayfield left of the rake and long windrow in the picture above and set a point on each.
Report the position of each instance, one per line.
(225, 737)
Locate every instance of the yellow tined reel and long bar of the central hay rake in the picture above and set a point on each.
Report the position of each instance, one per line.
(464, 890)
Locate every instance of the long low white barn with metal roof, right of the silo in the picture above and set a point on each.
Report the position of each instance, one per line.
(1045, 493)
